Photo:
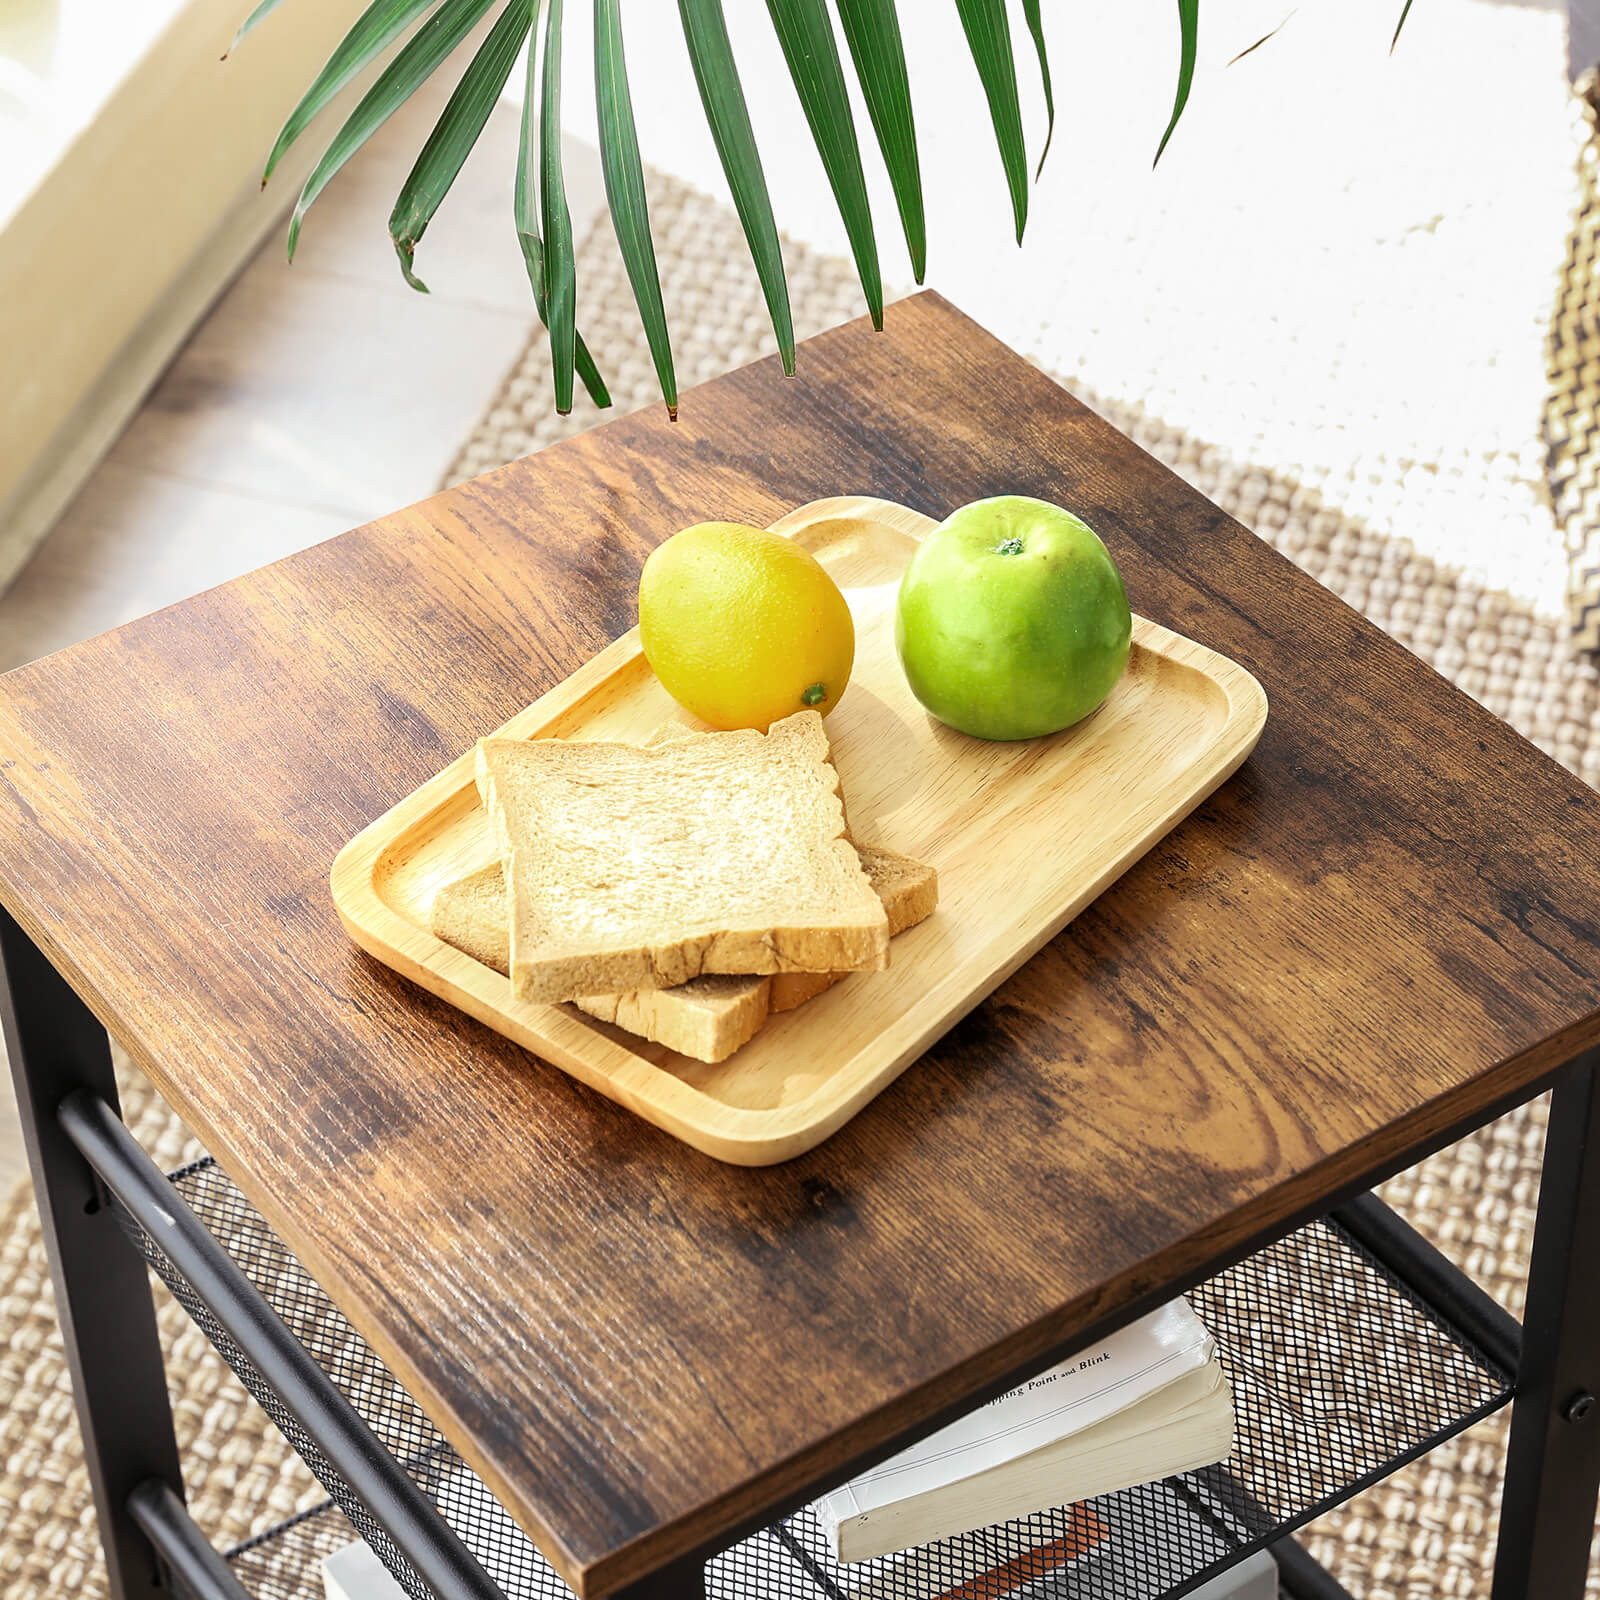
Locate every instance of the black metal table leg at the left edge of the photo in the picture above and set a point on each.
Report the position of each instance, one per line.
(103, 1295)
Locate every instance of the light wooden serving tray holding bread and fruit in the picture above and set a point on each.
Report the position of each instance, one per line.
(1023, 836)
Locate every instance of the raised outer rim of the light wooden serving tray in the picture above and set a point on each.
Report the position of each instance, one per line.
(745, 1137)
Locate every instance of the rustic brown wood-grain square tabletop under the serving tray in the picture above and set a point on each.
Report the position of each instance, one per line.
(1380, 930)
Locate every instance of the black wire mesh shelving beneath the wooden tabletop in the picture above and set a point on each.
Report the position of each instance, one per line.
(1340, 1377)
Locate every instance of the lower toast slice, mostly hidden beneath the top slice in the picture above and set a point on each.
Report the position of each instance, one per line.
(706, 1018)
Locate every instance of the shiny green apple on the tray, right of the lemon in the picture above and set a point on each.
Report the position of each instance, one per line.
(1012, 620)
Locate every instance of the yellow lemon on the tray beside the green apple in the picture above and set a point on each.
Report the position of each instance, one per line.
(743, 626)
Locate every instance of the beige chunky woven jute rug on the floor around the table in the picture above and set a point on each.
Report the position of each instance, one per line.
(1430, 1532)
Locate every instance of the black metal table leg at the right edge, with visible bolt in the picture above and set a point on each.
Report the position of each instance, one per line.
(1553, 1468)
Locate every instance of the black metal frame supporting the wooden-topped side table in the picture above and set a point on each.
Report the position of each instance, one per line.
(78, 1145)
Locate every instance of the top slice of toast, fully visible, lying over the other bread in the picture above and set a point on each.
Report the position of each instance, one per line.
(644, 868)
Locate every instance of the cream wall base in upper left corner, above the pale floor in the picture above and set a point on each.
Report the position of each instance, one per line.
(135, 207)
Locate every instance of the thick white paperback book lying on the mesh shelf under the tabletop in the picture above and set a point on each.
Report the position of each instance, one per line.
(1146, 1404)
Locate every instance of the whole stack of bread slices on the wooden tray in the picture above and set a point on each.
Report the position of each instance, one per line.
(682, 890)
